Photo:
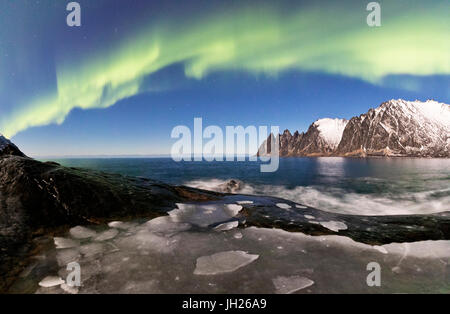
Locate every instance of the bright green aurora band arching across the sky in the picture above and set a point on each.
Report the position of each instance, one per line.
(265, 41)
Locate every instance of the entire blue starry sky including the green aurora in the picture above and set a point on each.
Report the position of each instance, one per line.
(137, 68)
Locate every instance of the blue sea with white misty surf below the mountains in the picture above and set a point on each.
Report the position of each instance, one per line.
(374, 186)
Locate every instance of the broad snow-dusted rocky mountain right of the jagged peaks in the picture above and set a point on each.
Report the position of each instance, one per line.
(399, 128)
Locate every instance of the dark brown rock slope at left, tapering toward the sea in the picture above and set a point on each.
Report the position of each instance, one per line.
(37, 198)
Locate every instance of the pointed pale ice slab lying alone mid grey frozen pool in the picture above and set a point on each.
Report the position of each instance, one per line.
(223, 262)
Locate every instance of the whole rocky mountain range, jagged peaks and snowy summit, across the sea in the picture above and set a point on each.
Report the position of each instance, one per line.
(395, 128)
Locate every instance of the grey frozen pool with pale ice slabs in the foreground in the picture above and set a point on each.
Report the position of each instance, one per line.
(185, 252)
